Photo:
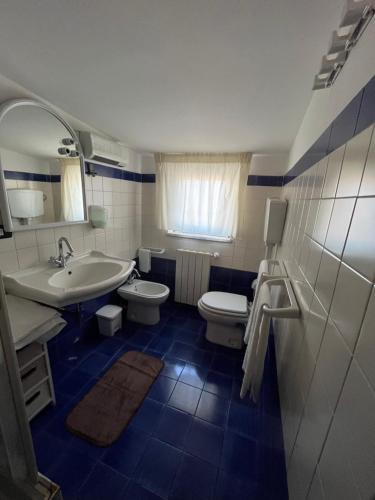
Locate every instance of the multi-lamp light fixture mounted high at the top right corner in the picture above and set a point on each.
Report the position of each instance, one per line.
(357, 15)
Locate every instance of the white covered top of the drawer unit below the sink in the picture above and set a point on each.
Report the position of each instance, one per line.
(30, 321)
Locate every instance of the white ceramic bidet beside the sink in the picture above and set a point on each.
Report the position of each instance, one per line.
(144, 299)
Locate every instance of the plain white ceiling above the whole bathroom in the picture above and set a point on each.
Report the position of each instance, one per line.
(173, 75)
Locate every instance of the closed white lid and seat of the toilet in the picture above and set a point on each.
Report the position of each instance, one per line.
(225, 304)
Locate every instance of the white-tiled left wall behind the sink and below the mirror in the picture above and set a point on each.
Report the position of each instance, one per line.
(119, 191)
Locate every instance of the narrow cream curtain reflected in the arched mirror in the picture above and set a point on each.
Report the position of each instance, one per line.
(71, 190)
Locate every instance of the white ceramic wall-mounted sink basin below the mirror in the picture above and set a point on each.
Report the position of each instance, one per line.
(86, 277)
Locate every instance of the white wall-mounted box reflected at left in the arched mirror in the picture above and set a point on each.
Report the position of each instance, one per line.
(25, 203)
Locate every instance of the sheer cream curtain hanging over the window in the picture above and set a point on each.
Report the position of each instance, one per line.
(199, 194)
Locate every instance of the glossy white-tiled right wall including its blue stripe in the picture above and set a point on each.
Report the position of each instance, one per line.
(326, 358)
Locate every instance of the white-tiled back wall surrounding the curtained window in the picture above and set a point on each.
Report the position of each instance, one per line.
(246, 251)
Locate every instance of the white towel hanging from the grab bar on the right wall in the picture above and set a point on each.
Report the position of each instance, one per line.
(258, 331)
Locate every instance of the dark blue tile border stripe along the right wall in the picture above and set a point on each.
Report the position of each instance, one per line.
(353, 119)
